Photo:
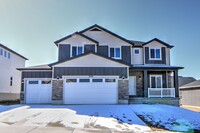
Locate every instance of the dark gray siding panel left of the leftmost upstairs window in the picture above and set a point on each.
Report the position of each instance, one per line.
(64, 52)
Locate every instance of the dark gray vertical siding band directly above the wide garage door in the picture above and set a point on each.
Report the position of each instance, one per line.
(63, 71)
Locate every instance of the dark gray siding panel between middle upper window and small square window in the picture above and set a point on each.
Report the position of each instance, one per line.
(126, 54)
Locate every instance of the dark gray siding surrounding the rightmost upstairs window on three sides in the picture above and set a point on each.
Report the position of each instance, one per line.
(147, 58)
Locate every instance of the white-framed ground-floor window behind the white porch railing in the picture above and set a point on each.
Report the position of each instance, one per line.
(155, 81)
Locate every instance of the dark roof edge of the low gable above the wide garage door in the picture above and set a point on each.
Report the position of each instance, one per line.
(72, 58)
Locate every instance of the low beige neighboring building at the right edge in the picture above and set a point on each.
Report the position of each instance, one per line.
(190, 94)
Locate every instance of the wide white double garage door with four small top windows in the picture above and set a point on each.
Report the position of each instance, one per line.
(90, 90)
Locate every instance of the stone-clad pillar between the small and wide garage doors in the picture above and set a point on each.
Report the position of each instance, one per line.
(57, 91)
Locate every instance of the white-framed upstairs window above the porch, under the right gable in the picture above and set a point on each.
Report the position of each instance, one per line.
(155, 53)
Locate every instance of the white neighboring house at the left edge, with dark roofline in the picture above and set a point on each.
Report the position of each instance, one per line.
(10, 77)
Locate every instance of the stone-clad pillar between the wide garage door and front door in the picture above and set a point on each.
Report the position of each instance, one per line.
(123, 92)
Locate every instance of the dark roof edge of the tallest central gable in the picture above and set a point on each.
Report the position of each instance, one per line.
(97, 26)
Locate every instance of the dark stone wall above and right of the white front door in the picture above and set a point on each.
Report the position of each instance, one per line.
(139, 82)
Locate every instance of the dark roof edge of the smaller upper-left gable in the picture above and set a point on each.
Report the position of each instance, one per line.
(76, 33)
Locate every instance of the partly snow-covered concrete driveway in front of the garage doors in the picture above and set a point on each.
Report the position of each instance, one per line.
(79, 118)
